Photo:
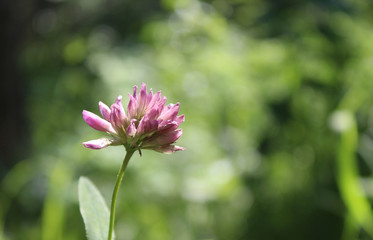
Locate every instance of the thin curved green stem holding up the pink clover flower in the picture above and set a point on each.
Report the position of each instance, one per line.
(116, 190)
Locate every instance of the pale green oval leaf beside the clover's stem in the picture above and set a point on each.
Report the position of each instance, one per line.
(94, 210)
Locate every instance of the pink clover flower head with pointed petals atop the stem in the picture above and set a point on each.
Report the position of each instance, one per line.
(148, 123)
